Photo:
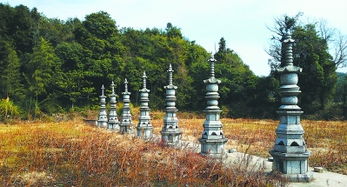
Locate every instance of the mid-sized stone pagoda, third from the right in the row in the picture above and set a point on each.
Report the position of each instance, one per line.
(171, 133)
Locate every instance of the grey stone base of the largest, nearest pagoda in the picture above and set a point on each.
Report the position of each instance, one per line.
(293, 166)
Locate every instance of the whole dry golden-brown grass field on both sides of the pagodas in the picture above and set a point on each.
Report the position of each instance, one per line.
(72, 153)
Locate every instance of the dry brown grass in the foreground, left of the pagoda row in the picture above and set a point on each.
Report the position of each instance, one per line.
(73, 154)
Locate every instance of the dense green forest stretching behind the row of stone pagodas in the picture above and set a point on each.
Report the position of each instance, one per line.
(50, 66)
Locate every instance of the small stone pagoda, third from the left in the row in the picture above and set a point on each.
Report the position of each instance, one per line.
(126, 122)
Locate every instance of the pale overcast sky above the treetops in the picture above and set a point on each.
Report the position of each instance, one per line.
(243, 23)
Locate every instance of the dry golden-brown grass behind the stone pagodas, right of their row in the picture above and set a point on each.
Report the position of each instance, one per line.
(327, 140)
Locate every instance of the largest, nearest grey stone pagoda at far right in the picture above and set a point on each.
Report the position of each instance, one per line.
(289, 152)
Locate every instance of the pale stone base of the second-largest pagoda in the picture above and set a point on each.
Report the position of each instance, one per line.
(212, 147)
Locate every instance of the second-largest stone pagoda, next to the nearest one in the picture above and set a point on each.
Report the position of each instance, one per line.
(213, 139)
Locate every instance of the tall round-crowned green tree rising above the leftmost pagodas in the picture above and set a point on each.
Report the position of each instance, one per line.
(101, 42)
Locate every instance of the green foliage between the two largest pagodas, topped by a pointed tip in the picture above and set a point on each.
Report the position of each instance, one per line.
(238, 81)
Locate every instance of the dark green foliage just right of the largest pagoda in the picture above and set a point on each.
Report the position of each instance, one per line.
(318, 78)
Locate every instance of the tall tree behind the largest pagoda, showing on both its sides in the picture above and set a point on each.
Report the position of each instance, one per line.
(310, 52)
